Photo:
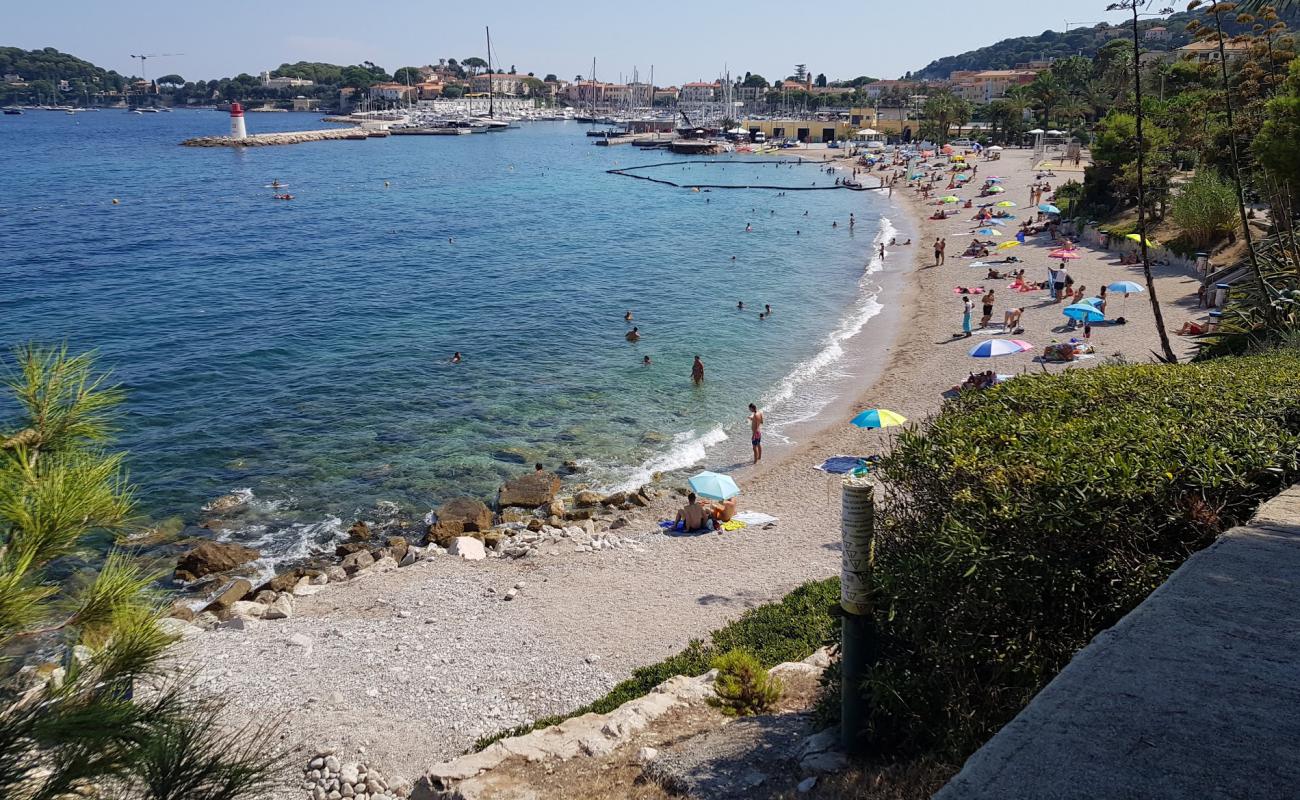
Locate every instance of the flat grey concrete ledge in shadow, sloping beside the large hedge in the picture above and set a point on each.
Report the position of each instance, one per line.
(1195, 694)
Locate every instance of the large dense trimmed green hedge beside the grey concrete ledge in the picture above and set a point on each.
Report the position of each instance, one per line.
(1024, 521)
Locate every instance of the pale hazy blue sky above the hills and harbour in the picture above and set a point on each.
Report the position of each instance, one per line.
(686, 41)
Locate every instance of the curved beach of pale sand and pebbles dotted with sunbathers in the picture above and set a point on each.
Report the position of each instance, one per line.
(408, 668)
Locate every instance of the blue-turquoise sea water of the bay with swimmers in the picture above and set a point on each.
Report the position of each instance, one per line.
(301, 349)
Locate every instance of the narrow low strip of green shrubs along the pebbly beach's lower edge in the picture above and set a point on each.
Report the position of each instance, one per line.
(788, 630)
